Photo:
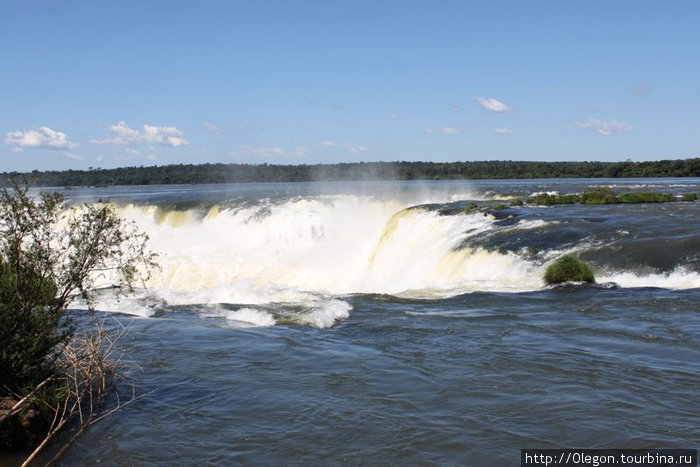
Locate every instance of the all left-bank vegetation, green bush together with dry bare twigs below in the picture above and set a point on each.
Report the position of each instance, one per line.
(57, 371)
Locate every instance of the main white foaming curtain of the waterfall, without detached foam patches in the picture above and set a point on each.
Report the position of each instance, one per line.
(335, 245)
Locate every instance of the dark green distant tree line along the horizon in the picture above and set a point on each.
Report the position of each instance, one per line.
(230, 173)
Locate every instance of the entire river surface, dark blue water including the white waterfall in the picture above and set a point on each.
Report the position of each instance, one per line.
(385, 323)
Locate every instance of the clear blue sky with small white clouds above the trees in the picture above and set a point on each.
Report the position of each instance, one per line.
(108, 84)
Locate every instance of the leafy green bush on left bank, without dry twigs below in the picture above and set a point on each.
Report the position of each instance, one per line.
(49, 256)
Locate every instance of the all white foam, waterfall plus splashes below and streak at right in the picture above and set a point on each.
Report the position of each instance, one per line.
(303, 250)
